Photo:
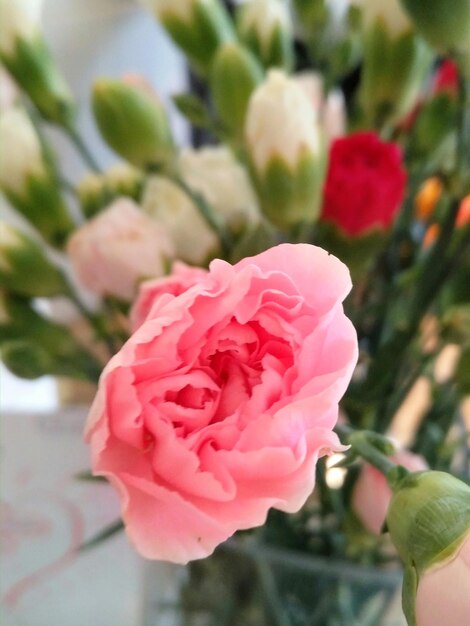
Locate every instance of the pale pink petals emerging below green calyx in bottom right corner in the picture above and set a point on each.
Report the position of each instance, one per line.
(443, 595)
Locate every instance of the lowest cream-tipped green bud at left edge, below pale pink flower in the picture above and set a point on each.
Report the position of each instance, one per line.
(24, 268)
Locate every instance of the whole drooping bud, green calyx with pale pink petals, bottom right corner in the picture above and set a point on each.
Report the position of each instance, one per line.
(429, 523)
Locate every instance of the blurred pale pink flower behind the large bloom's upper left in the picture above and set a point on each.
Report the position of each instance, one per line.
(119, 247)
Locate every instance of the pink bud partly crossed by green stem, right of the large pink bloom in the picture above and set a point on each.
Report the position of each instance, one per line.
(372, 495)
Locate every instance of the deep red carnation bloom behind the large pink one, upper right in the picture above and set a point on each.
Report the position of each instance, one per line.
(365, 184)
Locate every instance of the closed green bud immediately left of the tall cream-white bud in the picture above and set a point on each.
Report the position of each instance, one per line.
(235, 74)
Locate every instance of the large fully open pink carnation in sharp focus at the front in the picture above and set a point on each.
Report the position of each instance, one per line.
(221, 402)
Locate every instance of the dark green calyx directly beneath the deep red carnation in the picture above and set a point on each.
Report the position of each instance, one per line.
(358, 252)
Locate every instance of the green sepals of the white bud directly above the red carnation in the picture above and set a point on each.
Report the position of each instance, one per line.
(393, 72)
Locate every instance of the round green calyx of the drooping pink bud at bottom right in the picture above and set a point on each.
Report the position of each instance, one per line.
(428, 520)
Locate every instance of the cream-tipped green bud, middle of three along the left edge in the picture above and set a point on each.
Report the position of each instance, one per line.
(27, 181)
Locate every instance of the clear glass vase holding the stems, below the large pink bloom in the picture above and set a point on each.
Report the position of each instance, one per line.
(243, 585)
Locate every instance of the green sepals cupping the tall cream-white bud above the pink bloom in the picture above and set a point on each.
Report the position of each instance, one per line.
(290, 196)
